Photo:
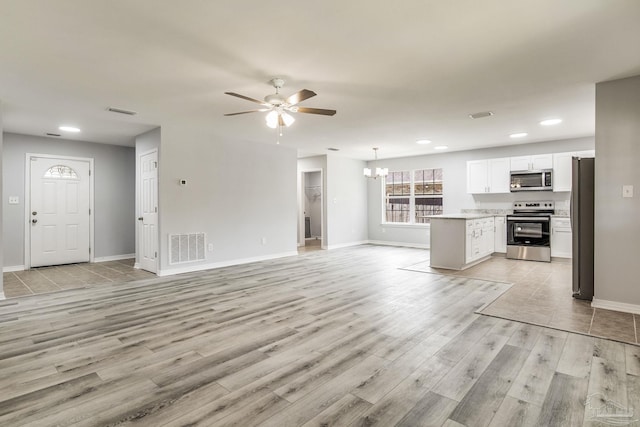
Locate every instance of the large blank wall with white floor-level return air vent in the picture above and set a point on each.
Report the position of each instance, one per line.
(238, 193)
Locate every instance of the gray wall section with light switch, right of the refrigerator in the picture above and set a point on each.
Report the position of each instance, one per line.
(617, 223)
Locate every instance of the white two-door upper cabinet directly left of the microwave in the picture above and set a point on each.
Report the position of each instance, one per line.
(488, 176)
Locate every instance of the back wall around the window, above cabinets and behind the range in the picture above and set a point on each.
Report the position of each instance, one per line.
(454, 186)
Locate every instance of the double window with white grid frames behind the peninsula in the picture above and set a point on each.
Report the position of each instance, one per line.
(412, 195)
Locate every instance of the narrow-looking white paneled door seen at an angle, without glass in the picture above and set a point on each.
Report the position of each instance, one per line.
(148, 219)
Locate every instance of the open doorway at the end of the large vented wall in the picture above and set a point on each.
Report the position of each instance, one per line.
(312, 210)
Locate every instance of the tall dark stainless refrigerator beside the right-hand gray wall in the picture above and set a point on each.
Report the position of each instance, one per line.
(582, 226)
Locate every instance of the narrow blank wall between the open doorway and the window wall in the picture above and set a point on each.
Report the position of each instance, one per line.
(346, 200)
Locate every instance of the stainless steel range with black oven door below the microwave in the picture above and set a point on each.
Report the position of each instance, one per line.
(528, 228)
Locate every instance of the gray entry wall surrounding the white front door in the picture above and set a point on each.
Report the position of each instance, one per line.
(114, 178)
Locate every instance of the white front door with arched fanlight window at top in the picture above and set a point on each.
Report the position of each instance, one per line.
(59, 216)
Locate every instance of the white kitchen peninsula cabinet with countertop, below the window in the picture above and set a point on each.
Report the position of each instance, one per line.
(459, 241)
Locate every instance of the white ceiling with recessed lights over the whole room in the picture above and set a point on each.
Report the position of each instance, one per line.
(395, 71)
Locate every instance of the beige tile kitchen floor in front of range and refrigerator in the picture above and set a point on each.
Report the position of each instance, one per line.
(541, 295)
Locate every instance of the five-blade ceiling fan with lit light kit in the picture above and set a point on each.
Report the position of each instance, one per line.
(279, 107)
